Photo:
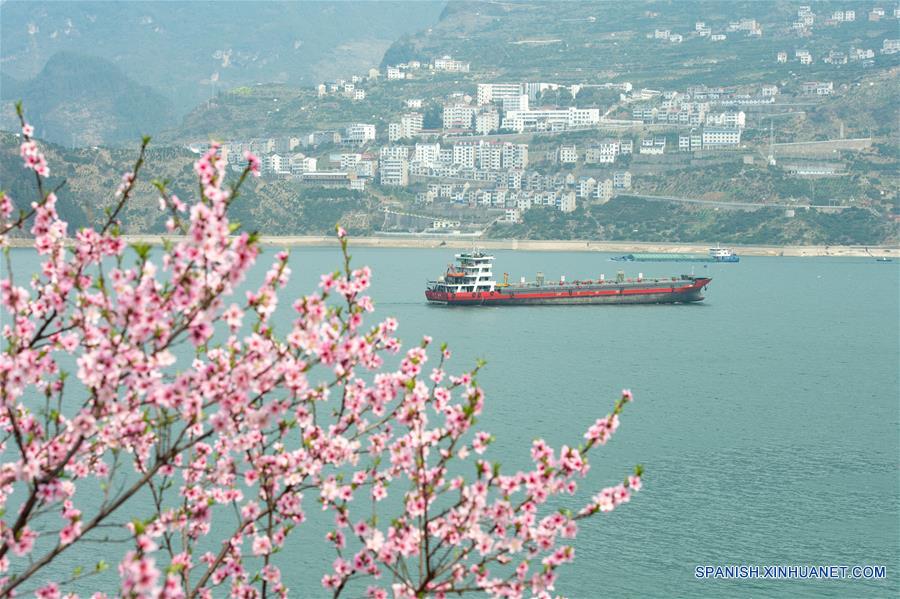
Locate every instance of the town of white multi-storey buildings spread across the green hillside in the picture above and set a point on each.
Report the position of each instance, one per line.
(501, 148)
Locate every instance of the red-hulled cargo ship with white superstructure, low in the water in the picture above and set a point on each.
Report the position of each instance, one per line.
(470, 282)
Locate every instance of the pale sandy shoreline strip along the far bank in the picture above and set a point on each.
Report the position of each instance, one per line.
(624, 247)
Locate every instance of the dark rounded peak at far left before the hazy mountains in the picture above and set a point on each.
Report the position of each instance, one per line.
(80, 100)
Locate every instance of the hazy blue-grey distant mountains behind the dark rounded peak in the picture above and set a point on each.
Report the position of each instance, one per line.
(190, 50)
